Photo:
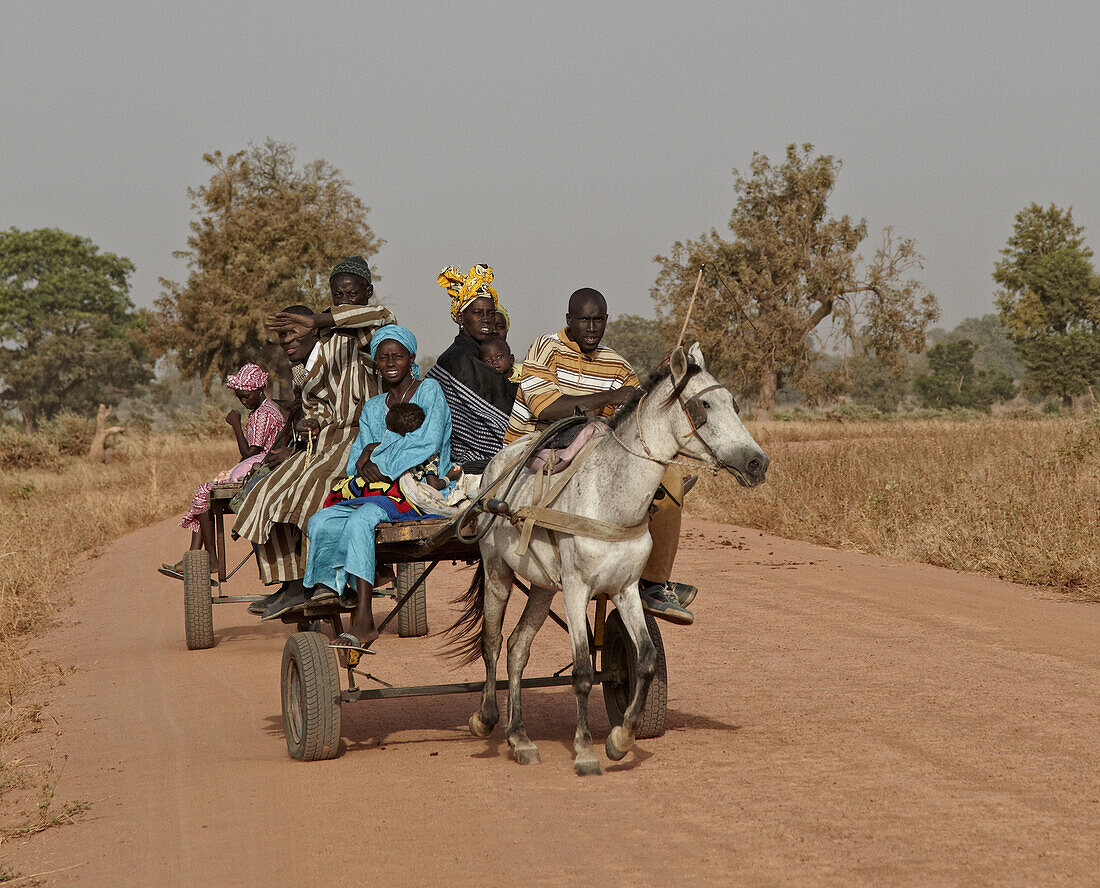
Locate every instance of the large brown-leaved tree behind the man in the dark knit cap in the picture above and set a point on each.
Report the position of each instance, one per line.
(267, 236)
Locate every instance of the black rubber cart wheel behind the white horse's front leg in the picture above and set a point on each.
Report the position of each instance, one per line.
(620, 661)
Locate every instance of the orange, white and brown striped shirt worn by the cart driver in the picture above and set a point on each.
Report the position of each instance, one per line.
(555, 366)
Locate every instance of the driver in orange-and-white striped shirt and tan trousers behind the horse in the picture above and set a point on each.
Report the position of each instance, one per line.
(570, 371)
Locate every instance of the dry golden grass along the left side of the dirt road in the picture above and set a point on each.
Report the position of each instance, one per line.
(54, 518)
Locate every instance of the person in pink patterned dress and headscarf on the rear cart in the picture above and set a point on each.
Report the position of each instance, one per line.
(255, 438)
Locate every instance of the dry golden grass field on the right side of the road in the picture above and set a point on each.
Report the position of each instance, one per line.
(1015, 498)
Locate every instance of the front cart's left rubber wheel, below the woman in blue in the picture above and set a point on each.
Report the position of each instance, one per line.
(311, 698)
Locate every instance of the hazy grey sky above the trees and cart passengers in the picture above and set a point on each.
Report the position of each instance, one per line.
(564, 144)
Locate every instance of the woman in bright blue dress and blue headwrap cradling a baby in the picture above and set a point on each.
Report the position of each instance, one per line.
(342, 538)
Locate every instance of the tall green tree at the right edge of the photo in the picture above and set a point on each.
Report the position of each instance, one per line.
(1050, 300)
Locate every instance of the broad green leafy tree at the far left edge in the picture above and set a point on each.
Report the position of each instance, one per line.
(70, 336)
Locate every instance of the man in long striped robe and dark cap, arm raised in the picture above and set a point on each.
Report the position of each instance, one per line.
(334, 392)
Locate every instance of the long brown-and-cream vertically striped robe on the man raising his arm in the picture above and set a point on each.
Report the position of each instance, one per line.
(334, 393)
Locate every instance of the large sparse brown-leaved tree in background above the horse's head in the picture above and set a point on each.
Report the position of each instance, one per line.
(788, 269)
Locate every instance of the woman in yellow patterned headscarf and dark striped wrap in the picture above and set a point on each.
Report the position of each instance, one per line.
(480, 398)
